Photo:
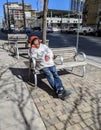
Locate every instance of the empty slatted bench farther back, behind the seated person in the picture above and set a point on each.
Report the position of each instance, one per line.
(15, 40)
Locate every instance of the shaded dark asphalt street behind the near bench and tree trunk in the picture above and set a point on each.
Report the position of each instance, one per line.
(91, 45)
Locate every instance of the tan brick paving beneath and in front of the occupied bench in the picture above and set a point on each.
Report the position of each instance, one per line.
(81, 111)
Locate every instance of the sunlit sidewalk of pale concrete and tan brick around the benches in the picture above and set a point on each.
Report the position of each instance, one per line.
(82, 111)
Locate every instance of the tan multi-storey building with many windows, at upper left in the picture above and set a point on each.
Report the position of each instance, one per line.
(15, 15)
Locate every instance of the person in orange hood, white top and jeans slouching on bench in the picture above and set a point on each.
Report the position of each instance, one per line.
(45, 63)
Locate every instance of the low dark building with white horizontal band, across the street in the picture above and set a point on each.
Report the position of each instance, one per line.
(59, 18)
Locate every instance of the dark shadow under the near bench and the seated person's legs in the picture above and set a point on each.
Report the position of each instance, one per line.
(22, 73)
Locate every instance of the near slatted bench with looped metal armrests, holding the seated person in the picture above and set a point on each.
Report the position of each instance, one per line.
(64, 58)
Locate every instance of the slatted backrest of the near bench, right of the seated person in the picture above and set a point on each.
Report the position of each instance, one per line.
(68, 53)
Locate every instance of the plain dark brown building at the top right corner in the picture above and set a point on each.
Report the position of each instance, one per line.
(92, 12)
